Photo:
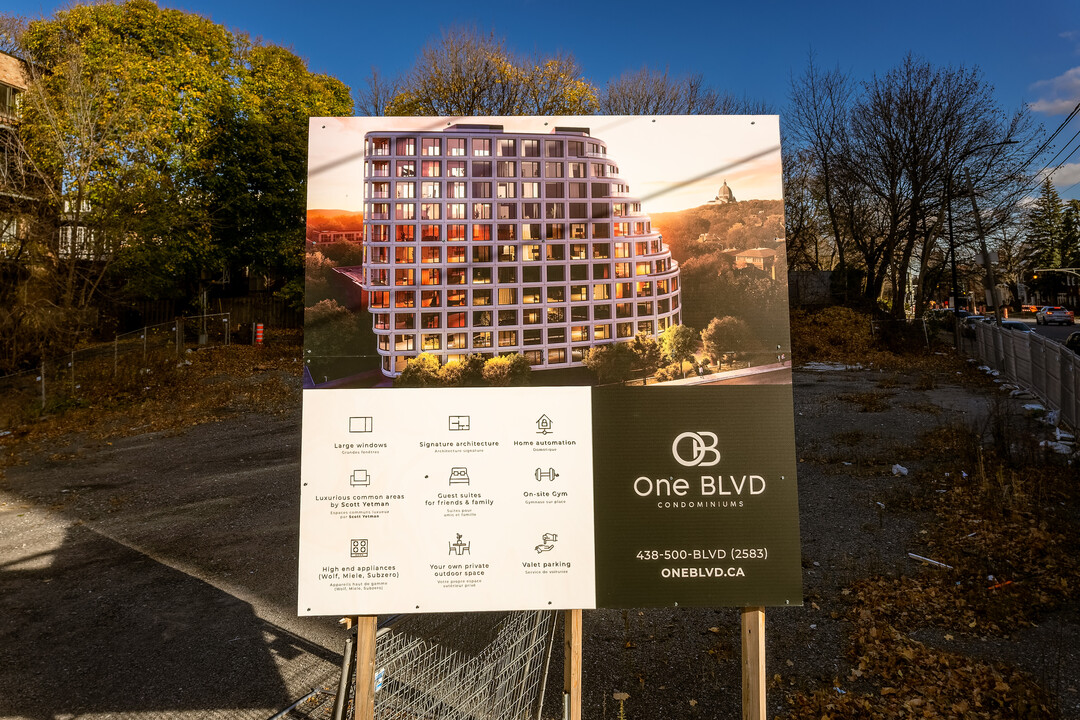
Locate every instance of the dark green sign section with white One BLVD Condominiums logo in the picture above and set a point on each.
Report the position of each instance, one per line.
(653, 513)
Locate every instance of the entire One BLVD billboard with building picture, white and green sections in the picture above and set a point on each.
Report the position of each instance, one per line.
(546, 366)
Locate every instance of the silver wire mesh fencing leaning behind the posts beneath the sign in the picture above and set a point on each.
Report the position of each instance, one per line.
(429, 678)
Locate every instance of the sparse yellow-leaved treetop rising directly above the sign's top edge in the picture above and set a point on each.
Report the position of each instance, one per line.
(466, 73)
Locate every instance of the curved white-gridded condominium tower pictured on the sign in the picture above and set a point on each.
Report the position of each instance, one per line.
(480, 241)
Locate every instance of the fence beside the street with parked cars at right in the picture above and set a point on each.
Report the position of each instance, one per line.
(1048, 369)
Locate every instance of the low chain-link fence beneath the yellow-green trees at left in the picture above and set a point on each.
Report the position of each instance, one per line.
(69, 379)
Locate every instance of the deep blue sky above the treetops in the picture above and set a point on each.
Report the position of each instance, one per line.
(1031, 52)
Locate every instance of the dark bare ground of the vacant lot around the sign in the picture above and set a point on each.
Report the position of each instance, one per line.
(154, 576)
